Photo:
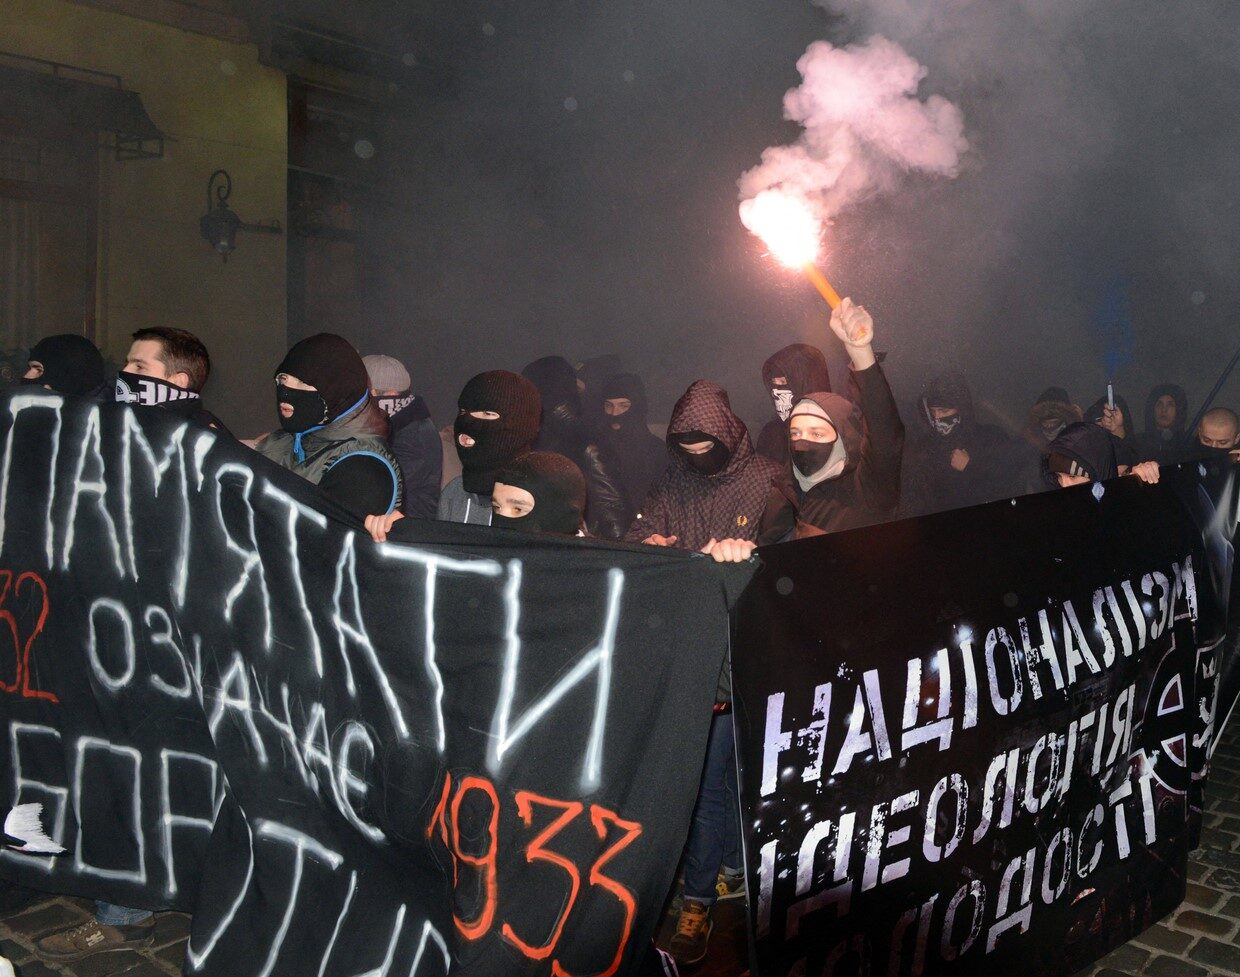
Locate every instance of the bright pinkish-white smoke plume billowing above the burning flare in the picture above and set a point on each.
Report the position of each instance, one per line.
(866, 128)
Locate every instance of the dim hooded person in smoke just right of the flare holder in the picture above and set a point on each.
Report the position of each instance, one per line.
(957, 462)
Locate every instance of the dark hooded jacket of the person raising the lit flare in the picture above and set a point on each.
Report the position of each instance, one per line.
(869, 488)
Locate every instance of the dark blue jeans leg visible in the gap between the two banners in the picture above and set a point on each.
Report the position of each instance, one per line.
(715, 836)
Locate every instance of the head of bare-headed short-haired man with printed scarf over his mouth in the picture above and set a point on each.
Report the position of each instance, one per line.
(168, 368)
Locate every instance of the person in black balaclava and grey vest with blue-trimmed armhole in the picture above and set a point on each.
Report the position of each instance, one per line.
(332, 432)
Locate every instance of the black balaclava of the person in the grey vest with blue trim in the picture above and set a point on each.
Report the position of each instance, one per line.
(335, 370)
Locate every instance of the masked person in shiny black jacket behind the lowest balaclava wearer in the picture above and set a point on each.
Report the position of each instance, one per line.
(567, 433)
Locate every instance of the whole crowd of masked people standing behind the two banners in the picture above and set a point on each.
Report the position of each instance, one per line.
(570, 452)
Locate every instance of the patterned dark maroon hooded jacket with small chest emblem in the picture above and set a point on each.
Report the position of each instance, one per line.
(696, 508)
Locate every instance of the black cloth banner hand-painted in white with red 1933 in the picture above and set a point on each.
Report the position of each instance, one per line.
(471, 752)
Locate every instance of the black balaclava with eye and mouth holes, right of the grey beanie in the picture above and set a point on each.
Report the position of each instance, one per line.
(495, 442)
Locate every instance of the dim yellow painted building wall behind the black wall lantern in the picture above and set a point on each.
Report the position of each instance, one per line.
(220, 110)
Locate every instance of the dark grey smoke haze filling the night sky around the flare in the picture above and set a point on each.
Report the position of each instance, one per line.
(576, 194)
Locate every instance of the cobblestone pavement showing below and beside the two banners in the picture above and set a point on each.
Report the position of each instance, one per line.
(1201, 939)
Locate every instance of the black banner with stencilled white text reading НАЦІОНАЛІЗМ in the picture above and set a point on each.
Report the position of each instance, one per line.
(974, 743)
